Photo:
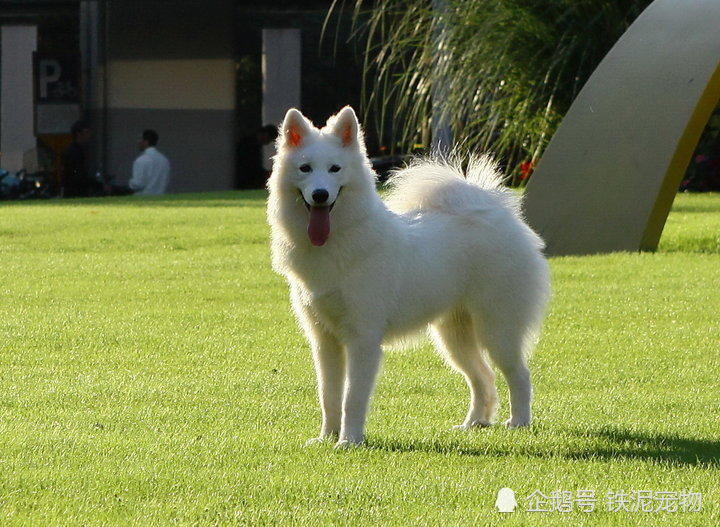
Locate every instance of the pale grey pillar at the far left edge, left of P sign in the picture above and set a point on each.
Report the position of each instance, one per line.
(16, 113)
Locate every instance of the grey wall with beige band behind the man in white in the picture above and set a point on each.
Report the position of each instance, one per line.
(171, 68)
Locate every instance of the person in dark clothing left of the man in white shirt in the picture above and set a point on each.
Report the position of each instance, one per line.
(77, 180)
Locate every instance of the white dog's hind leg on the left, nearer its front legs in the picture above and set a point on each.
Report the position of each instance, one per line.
(455, 339)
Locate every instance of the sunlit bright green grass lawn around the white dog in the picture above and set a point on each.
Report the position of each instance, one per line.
(152, 374)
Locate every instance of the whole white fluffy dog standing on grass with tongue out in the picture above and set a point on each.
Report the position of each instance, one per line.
(446, 250)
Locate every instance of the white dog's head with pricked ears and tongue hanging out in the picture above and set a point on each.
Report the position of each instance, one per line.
(318, 165)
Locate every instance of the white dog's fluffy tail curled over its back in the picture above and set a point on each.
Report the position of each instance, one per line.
(442, 185)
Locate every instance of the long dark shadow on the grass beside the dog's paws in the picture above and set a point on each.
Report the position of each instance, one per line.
(603, 444)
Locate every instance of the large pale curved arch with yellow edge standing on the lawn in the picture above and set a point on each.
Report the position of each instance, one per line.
(608, 178)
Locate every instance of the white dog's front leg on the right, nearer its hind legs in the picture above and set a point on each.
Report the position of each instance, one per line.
(363, 362)
